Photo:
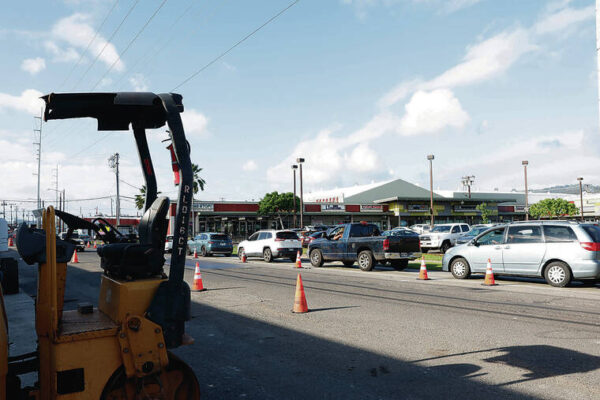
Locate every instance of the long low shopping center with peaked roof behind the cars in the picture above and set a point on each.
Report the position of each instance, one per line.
(386, 204)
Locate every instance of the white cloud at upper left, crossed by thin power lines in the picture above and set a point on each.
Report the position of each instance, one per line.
(76, 31)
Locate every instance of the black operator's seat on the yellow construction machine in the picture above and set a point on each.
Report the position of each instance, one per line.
(145, 259)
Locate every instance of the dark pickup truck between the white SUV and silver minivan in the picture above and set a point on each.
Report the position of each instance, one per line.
(363, 242)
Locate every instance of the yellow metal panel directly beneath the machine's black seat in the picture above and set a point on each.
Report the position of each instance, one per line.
(119, 299)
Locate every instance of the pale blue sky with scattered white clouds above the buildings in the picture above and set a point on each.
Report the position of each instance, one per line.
(363, 90)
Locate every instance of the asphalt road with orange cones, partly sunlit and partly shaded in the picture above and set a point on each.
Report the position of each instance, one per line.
(378, 335)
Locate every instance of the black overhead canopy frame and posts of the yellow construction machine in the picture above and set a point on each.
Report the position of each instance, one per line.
(141, 111)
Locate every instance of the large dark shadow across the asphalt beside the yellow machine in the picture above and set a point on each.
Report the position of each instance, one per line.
(240, 357)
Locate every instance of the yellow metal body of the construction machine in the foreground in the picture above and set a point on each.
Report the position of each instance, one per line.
(79, 352)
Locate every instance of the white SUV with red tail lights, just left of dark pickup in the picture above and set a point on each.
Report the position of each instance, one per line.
(270, 244)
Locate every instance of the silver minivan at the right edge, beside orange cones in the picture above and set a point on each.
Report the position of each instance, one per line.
(555, 250)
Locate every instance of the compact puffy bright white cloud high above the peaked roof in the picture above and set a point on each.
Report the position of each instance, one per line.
(428, 112)
